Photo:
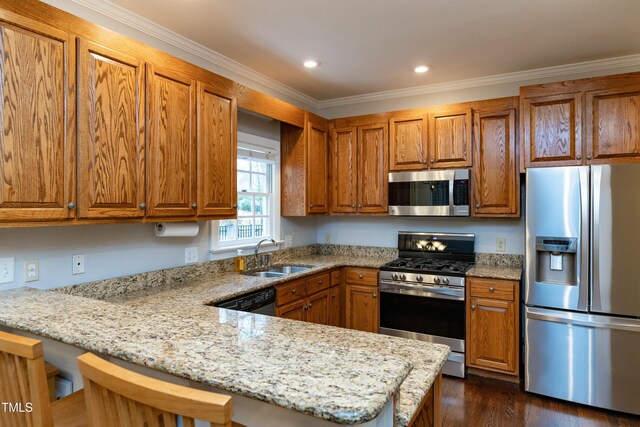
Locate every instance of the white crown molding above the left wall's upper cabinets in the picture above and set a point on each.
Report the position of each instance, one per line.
(139, 23)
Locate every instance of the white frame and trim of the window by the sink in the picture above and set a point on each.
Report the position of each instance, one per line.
(272, 147)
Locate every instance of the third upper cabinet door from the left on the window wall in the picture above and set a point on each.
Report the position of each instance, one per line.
(171, 154)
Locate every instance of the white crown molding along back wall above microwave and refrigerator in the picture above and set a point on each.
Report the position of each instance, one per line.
(519, 76)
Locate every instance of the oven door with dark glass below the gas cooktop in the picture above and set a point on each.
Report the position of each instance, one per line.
(434, 314)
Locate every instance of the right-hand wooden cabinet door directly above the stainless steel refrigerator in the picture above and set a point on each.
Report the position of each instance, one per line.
(613, 125)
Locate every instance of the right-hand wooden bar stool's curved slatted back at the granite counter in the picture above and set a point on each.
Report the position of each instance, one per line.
(116, 396)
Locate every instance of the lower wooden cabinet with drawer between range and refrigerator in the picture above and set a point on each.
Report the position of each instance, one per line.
(493, 325)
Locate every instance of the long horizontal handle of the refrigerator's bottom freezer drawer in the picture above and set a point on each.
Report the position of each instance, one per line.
(581, 319)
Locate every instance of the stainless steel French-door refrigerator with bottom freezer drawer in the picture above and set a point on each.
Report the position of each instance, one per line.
(582, 285)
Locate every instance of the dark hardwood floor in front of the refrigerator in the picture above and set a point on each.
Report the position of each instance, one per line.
(483, 402)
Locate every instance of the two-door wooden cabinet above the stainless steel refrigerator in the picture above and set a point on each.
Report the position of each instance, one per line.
(581, 122)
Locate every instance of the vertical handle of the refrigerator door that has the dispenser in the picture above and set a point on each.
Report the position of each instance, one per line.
(583, 259)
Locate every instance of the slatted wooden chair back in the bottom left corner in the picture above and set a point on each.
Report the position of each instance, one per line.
(23, 380)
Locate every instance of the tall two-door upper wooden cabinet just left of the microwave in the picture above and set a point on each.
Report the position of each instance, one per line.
(359, 169)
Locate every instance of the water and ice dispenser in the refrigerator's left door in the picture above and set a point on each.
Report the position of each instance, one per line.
(556, 260)
